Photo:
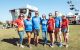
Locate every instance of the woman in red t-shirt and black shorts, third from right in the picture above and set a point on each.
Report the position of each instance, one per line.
(51, 27)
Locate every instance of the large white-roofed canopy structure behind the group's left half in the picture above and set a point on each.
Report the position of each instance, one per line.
(25, 10)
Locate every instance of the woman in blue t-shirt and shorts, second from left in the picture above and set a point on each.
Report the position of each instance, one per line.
(28, 29)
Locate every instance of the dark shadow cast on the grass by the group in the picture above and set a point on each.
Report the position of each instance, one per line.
(14, 40)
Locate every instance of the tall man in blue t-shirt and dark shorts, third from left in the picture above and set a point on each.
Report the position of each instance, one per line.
(36, 27)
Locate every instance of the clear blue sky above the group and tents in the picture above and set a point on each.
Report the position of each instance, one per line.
(45, 6)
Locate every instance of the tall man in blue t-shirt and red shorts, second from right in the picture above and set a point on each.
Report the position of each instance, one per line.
(58, 22)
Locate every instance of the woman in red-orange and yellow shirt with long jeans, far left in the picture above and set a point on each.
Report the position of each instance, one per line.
(20, 28)
